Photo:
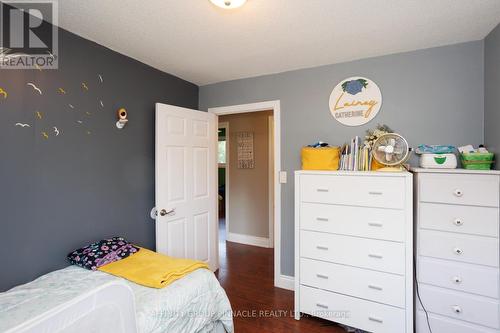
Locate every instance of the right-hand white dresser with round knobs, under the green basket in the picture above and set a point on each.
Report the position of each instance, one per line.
(457, 229)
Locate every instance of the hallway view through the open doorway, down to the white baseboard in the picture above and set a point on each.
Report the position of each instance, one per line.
(245, 179)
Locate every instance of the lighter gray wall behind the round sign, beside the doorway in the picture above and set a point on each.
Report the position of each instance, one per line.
(432, 96)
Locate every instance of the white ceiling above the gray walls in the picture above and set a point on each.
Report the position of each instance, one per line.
(203, 44)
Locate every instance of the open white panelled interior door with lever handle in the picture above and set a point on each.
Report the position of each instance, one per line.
(186, 184)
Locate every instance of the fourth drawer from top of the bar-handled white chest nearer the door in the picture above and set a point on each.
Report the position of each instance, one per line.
(363, 283)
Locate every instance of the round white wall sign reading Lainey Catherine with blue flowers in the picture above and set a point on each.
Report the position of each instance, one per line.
(355, 101)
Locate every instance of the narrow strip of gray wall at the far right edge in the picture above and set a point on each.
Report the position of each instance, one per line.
(492, 92)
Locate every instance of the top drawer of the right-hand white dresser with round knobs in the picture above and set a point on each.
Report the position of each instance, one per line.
(478, 190)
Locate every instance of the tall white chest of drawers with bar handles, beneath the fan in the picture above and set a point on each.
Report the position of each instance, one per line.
(354, 248)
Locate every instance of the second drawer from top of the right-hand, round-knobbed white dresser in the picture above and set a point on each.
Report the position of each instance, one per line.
(462, 219)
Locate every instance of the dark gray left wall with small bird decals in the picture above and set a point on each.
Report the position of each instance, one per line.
(64, 192)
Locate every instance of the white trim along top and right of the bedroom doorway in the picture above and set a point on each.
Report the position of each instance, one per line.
(275, 107)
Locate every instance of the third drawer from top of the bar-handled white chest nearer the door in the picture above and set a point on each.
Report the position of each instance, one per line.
(360, 252)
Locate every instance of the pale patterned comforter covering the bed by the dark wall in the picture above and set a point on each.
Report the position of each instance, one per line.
(195, 303)
